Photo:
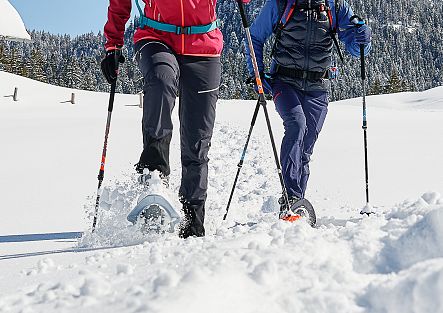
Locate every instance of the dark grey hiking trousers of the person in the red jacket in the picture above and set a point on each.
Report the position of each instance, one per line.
(196, 81)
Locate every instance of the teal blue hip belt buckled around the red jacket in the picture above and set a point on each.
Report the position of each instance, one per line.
(171, 28)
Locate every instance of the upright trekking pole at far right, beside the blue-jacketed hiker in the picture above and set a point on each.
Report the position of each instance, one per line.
(358, 22)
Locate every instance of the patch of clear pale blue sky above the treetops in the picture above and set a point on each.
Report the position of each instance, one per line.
(64, 16)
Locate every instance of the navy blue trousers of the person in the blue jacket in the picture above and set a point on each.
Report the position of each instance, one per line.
(303, 114)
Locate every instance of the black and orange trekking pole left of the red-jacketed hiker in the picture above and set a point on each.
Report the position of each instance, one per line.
(101, 173)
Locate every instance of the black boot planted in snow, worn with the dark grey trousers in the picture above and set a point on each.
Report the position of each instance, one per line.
(192, 223)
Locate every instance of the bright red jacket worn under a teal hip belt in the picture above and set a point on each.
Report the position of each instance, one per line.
(177, 12)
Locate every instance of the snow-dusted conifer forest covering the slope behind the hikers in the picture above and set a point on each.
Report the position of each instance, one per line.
(407, 53)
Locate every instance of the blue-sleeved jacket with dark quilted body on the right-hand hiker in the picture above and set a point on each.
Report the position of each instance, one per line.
(298, 50)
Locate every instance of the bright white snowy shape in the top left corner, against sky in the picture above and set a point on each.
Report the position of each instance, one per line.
(11, 24)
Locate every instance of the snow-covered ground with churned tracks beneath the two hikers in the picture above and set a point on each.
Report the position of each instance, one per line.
(389, 262)
